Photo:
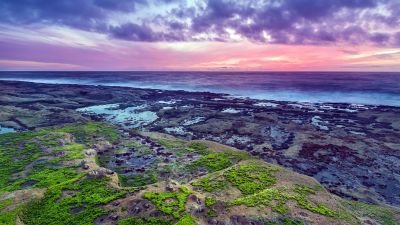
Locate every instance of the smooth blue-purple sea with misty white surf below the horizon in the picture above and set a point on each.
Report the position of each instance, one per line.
(361, 88)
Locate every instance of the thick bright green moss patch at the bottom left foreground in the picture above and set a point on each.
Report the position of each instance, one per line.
(55, 208)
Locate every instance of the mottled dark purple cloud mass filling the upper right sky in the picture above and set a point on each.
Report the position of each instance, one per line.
(291, 21)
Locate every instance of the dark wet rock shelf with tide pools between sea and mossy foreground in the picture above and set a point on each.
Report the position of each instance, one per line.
(353, 150)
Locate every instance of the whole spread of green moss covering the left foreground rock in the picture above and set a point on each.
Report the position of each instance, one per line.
(19, 150)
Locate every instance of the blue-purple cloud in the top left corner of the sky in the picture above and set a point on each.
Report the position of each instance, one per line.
(82, 14)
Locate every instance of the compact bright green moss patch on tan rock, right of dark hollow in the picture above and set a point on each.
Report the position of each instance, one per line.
(250, 178)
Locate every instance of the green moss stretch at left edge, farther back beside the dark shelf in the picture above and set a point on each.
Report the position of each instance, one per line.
(18, 150)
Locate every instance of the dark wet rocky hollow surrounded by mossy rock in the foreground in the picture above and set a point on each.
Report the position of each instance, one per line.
(140, 160)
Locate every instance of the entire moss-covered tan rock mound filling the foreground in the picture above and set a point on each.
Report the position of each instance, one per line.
(60, 179)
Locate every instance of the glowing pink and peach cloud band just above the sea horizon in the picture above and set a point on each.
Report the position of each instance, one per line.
(125, 55)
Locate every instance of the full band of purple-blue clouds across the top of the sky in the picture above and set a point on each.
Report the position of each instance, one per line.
(311, 22)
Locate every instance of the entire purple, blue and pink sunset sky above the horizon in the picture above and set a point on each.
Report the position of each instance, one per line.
(239, 35)
